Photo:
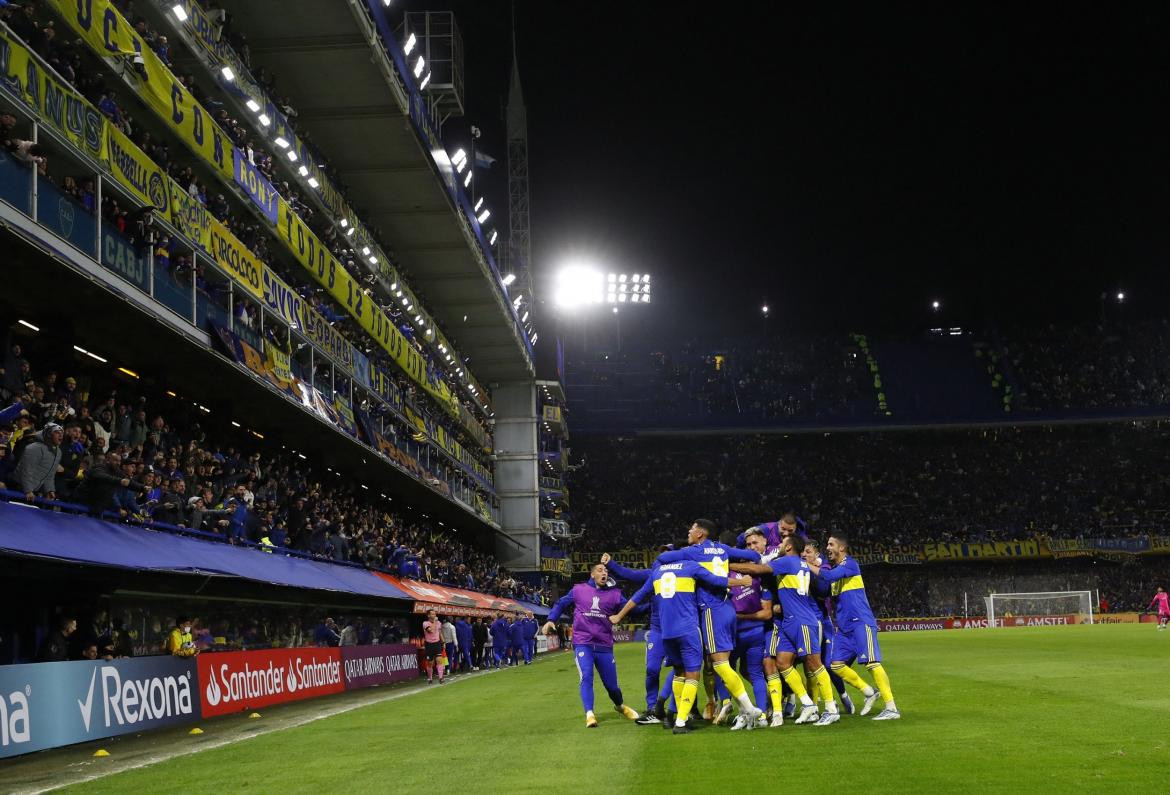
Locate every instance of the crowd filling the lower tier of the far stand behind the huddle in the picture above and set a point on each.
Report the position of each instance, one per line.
(892, 488)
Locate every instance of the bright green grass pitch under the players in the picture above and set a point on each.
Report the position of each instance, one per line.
(1016, 710)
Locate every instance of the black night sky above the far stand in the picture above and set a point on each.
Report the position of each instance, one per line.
(848, 167)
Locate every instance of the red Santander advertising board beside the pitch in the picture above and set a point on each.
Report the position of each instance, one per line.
(236, 681)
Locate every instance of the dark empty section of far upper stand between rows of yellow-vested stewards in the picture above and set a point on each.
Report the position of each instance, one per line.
(935, 379)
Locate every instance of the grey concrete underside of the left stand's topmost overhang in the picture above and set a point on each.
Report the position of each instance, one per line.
(355, 111)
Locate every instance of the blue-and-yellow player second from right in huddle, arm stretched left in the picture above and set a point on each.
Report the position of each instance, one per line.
(797, 635)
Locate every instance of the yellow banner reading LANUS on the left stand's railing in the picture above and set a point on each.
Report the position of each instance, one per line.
(53, 101)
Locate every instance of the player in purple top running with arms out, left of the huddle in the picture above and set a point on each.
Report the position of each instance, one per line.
(594, 602)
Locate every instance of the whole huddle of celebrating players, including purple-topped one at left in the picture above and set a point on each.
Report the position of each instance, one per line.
(767, 609)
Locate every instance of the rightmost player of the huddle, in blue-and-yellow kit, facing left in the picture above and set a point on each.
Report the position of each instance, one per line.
(857, 628)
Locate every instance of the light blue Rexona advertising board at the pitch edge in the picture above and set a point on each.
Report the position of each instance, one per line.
(45, 705)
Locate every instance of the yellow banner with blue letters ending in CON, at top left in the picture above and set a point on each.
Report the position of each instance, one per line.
(108, 33)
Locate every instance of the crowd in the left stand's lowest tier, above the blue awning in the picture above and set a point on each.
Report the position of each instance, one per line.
(150, 457)
